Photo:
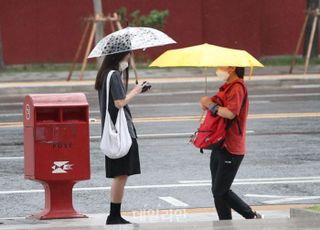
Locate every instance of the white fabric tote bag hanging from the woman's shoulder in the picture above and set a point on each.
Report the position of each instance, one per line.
(116, 140)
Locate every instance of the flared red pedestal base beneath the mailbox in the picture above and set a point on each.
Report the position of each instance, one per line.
(58, 201)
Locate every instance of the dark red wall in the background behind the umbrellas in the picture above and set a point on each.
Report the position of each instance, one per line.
(48, 31)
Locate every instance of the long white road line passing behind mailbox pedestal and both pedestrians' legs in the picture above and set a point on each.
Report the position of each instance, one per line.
(8, 192)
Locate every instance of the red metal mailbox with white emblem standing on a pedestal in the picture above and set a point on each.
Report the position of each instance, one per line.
(56, 148)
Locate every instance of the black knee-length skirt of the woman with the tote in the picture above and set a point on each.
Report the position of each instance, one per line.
(127, 165)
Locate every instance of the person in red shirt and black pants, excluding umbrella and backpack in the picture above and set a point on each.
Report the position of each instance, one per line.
(226, 158)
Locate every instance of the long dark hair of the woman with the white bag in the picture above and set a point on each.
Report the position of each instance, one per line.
(110, 62)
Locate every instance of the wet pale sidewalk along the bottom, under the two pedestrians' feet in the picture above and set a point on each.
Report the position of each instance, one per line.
(276, 217)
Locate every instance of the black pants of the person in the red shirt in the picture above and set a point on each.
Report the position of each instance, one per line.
(224, 167)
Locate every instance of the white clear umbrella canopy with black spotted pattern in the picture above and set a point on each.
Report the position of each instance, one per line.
(128, 39)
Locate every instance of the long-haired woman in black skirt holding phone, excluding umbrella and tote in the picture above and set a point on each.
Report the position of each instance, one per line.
(118, 169)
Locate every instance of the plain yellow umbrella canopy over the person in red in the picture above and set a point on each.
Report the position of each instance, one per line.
(206, 55)
